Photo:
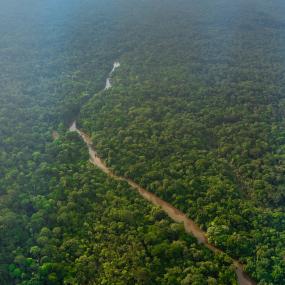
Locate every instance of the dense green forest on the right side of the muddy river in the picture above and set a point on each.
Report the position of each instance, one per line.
(196, 115)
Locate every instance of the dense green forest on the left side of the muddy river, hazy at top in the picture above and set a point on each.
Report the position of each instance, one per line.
(61, 220)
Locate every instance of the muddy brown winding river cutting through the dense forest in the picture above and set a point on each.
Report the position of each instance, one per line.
(175, 214)
